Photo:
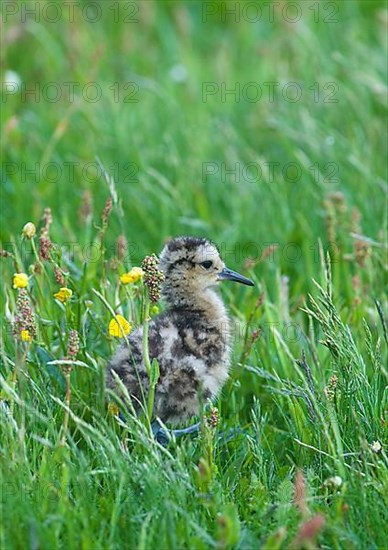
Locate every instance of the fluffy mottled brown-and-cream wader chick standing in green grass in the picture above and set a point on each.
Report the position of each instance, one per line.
(191, 340)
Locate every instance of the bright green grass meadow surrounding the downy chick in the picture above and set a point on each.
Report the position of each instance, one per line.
(111, 486)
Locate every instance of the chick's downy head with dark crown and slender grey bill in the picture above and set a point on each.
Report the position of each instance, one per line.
(194, 264)
